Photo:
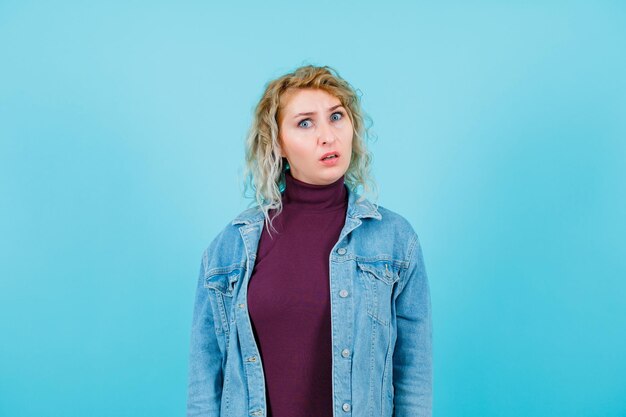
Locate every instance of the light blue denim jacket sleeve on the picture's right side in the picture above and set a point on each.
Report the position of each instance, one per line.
(412, 358)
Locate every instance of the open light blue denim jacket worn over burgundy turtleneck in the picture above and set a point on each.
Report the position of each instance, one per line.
(380, 320)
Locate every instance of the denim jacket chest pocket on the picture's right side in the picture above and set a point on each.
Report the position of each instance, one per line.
(378, 278)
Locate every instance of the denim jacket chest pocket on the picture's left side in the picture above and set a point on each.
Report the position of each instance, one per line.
(222, 282)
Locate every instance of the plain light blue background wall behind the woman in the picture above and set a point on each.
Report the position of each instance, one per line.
(501, 137)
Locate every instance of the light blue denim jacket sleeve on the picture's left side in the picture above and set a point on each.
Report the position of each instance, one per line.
(205, 361)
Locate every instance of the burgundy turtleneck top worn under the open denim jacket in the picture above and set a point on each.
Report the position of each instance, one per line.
(289, 298)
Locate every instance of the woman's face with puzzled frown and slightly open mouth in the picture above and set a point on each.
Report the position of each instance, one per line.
(313, 123)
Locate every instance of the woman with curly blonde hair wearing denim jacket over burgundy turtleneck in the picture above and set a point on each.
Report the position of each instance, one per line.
(315, 301)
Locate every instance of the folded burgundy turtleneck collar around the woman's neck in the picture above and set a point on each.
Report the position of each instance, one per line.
(305, 196)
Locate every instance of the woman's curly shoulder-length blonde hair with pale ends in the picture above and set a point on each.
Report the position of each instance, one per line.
(265, 168)
